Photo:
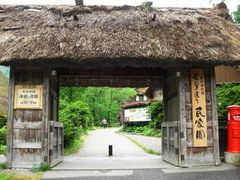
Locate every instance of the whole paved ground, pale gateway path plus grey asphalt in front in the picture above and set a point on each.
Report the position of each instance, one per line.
(128, 162)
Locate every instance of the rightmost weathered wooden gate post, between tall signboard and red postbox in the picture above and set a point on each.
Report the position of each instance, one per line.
(215, 119)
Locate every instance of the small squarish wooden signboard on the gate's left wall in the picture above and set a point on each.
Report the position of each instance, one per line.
(28, 97)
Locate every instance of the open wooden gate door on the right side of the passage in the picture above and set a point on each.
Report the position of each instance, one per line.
(170, 126)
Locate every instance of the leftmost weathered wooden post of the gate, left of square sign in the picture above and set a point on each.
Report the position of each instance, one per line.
(10, 117)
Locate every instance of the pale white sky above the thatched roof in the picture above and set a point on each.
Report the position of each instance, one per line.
(232, 4)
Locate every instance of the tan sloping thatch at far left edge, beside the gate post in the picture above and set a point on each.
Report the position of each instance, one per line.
(3, 94)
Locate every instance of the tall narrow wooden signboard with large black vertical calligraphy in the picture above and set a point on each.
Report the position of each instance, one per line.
(199, 115)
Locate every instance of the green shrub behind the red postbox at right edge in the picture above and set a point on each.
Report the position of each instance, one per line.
(227, 94)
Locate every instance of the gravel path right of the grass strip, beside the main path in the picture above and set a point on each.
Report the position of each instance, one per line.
(152, 143)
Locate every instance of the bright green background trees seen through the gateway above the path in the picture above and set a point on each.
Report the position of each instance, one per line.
(103, 102)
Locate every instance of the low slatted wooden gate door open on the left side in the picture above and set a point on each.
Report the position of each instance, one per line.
(56, 143)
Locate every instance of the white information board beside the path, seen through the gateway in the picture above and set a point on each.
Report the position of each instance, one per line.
(136, 114)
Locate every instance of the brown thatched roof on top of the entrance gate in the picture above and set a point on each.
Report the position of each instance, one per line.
(75, 34)
